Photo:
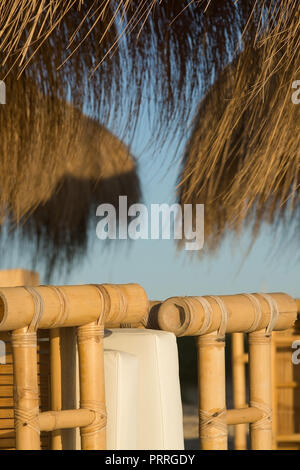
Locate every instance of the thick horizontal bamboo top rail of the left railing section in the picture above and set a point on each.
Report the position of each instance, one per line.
(127, 303)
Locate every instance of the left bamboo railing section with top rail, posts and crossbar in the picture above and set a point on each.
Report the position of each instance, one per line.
(25, 310)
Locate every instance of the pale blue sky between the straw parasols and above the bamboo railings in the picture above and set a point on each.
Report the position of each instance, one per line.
(157, 264)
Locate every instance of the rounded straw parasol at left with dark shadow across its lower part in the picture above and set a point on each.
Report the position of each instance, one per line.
(57, 165)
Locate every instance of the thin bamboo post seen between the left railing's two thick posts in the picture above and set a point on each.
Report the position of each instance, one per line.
(56, 386)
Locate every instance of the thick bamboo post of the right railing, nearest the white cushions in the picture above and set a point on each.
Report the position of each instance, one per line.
(211, 387)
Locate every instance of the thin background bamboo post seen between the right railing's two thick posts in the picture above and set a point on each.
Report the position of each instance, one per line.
(239, 387)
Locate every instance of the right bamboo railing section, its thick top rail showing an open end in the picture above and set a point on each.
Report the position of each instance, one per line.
(209, 318)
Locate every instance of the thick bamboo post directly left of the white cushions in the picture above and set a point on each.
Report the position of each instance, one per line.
(91, 377)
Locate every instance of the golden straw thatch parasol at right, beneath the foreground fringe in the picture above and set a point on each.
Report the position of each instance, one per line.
(243, 157)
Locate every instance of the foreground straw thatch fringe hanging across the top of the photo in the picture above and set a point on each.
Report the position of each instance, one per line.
(175, 48)
